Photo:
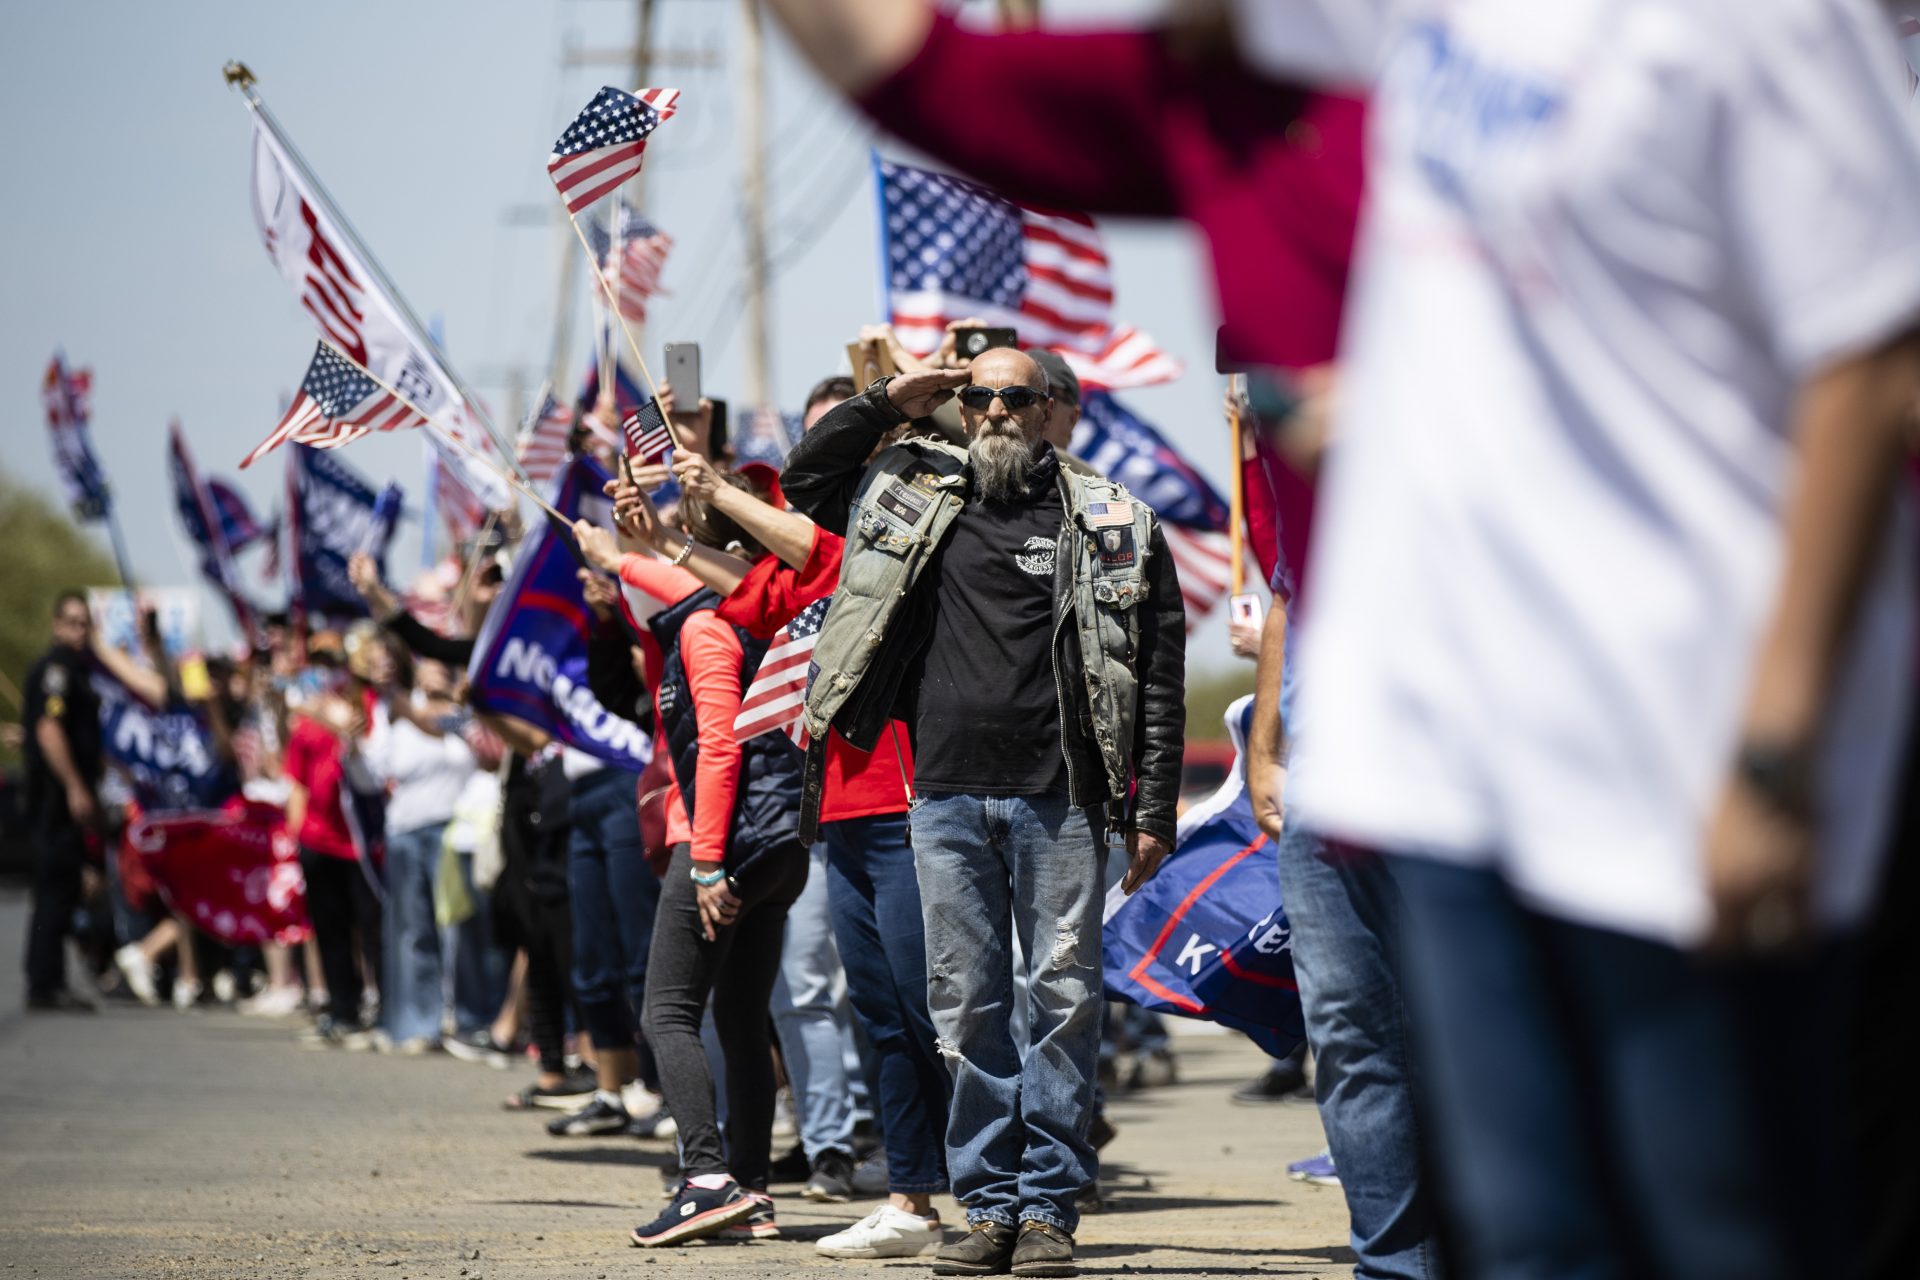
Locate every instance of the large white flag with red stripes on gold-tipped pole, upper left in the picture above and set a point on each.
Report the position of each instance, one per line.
(362, 316)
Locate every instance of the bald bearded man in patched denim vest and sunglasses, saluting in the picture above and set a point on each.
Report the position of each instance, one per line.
(1026, 623)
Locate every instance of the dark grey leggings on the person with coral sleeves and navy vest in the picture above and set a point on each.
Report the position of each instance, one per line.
(738, 970)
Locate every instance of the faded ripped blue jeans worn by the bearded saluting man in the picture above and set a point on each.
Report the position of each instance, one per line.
(990, 868)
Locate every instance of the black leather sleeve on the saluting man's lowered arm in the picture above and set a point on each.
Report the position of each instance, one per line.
(1161, 719)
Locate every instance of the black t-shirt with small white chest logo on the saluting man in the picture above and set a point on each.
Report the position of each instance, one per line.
(988, 709)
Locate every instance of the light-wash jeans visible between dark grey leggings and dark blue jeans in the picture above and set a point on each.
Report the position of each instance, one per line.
(813, 1030)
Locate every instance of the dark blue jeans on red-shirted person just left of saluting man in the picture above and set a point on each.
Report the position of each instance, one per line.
(884, 949)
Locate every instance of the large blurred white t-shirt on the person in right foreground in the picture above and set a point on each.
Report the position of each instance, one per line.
(1606, 243)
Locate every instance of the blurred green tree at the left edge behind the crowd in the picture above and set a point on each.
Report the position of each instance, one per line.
(45, 556)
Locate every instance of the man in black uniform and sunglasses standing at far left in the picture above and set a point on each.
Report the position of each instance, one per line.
(64, 765)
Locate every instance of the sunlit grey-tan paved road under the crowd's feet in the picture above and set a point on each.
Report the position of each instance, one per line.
(145, 1143)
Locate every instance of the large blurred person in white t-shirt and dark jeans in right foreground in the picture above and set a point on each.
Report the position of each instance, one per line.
(1610, 630)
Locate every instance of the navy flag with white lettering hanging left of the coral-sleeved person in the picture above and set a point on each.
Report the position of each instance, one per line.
(531, 657)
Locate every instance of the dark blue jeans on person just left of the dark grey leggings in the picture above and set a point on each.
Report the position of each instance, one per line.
(613, 897)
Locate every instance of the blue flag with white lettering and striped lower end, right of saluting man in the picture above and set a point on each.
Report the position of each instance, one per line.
(1193, 515)
